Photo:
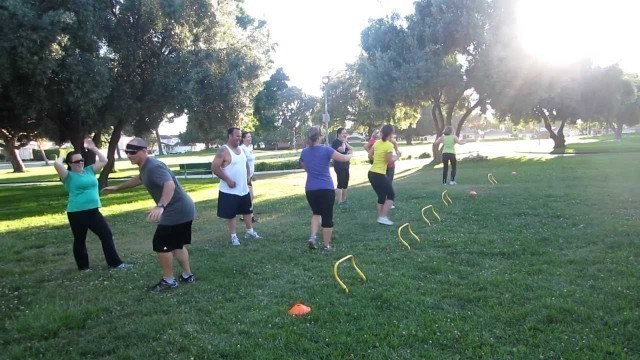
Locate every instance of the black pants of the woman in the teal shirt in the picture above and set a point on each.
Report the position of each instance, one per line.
(81, 222)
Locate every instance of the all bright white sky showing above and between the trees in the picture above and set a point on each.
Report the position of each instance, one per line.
(316, 38)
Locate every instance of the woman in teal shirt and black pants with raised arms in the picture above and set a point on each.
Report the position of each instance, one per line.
(83, 207)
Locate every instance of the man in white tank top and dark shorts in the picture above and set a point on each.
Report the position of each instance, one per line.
(230, 165)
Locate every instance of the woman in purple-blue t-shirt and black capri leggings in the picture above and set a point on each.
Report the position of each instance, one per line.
(319, 188)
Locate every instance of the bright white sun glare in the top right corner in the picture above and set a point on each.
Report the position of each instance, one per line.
(563, 31)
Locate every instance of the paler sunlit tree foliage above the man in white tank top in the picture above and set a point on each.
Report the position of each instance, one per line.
(226, 73)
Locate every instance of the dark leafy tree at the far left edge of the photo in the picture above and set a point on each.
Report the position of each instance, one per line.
(31, 42)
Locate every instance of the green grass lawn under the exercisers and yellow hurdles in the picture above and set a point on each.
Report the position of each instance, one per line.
(542, 265)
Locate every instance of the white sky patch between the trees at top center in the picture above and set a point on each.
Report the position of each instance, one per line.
(316, 38)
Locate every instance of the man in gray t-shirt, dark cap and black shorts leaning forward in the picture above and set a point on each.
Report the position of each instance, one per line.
(174, 212)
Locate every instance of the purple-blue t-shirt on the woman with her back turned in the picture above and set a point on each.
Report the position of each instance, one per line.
(316, 163)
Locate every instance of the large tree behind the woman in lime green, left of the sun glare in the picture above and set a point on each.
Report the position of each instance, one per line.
(432, 59)
